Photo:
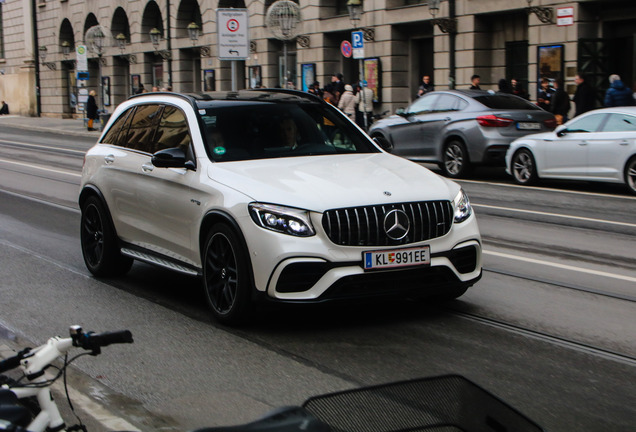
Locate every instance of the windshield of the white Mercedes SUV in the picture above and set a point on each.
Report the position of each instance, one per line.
(257, 130)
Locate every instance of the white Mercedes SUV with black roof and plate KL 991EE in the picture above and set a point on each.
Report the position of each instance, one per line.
(271, 195)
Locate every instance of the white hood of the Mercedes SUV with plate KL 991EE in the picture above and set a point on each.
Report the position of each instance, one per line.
(320, 183)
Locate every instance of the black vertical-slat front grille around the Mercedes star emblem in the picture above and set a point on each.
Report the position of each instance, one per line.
(364, 226)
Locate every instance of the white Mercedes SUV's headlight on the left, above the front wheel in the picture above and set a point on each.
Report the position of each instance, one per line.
(281, 219)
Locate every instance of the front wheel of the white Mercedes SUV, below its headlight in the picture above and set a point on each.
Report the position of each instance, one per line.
(226, 277)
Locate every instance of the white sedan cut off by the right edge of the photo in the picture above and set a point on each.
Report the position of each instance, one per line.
(599, 145)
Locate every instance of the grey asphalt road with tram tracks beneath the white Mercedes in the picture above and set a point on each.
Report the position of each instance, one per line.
(549, 328)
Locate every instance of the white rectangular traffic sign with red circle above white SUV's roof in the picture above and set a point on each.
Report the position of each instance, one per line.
(233, 34)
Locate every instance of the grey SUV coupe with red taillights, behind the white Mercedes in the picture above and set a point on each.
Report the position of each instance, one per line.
(458, 129)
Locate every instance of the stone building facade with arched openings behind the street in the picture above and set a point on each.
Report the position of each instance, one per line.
(403, 40)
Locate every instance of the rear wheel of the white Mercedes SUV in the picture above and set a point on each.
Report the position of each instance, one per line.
(99, 242)
